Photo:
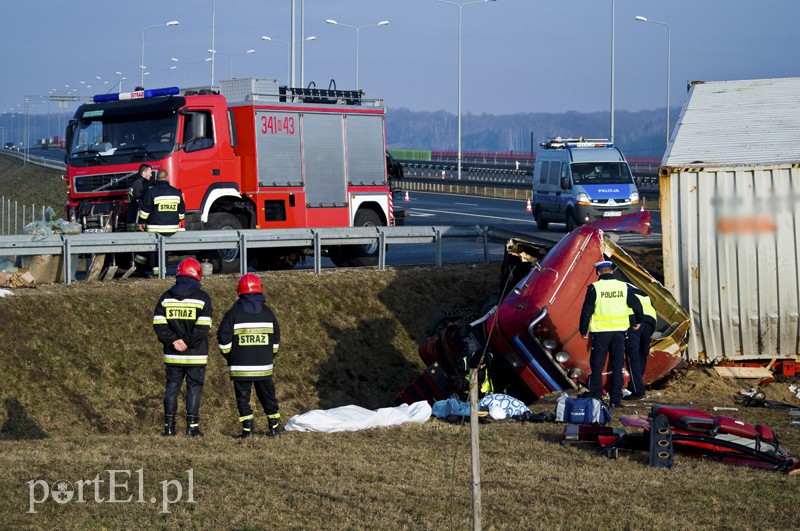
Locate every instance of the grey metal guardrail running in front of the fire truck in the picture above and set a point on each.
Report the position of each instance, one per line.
(68, 247)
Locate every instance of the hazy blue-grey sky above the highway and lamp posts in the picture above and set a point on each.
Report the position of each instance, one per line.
(517, 55)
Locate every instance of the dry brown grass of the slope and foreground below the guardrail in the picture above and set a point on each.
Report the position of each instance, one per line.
(82, 388)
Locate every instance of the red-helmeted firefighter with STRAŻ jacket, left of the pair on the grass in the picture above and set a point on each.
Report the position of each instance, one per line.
(182, 321)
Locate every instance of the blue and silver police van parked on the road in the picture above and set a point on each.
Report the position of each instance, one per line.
(576, 180)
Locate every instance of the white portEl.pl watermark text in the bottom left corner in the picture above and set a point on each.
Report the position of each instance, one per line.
(111, 486)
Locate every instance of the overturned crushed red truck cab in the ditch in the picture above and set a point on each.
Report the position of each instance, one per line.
(528, 337)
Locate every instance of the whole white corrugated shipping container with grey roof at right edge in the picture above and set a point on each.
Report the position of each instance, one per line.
(730, 229)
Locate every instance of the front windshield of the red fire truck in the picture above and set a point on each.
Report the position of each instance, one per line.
(106, 139)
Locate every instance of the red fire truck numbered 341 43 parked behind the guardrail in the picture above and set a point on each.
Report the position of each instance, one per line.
(252, 155)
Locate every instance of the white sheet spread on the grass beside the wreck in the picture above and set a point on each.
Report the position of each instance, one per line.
(353, 418)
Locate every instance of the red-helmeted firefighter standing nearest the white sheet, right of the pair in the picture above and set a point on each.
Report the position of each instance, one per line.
(248, 338)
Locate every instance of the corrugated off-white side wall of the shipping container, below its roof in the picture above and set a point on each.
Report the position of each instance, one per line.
(732, 258)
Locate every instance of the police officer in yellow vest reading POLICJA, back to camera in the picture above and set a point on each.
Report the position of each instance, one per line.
(605, 313)
